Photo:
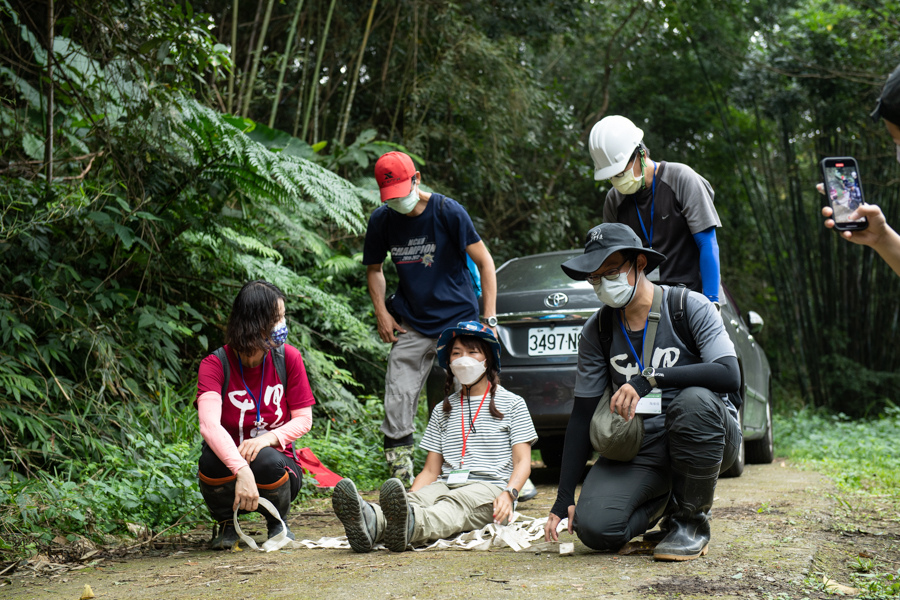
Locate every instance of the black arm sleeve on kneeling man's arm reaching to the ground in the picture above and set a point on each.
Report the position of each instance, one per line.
(576, 451)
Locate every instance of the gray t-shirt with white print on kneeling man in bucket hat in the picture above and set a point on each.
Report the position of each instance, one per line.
(704, 322)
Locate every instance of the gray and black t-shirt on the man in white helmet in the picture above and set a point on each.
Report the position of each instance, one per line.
(682, 206)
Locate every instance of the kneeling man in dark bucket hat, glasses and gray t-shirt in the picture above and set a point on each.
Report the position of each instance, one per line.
(690, 435)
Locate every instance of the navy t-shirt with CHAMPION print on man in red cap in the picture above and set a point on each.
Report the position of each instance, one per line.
(429, 251)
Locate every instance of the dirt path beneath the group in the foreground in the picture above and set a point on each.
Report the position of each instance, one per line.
(767, 527)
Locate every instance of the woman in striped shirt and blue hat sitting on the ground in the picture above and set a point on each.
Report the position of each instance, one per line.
(479, 455)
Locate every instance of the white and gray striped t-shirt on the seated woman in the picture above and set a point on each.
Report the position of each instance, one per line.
(489, 445)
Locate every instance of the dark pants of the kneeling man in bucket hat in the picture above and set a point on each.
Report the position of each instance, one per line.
(621, 500)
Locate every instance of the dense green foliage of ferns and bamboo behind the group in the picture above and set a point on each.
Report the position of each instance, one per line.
(140, 187)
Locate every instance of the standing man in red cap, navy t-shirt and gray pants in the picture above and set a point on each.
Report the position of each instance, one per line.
(428, 237)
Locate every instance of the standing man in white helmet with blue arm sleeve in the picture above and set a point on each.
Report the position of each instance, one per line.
(668, 205)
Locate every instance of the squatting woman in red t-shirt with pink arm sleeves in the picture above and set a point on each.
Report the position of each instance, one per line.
(247, 449)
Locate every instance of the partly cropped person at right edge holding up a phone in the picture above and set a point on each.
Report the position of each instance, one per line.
(879, 236)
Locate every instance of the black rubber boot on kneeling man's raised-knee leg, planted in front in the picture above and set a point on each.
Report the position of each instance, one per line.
(693, 490)
